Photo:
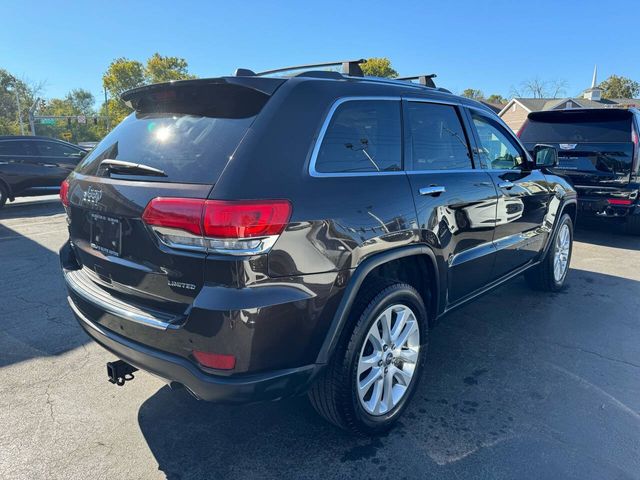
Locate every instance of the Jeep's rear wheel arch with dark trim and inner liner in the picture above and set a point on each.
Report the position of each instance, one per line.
(384, 263)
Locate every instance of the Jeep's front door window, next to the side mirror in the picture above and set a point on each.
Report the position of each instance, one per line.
(497, 150)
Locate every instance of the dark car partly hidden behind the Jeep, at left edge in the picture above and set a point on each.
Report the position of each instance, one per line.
(32, 166)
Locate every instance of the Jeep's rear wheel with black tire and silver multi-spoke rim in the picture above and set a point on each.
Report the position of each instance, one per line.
(365, 387)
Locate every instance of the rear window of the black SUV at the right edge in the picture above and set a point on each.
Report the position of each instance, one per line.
(579, 127)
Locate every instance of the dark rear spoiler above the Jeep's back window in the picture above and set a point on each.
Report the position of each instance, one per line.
(228, 97)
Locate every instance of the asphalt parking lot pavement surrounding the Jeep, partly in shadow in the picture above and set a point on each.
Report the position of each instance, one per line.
(520, 385)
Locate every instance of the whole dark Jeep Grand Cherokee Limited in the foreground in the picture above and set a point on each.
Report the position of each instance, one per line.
(251, 237)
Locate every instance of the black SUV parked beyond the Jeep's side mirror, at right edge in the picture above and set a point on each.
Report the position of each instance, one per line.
(598, 151)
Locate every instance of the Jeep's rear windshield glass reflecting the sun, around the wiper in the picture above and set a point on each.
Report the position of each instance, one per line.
(188, 148)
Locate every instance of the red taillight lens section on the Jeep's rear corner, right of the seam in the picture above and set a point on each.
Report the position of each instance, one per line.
(245, 219)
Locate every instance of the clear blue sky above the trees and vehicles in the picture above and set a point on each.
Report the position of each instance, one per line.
(488, 45)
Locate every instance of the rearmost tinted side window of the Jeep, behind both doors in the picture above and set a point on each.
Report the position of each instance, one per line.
(363, 136)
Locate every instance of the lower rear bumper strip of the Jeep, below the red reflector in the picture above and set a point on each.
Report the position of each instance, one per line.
(234, 389)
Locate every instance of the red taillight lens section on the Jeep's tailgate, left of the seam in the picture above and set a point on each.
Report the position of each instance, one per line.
(181, 213)
